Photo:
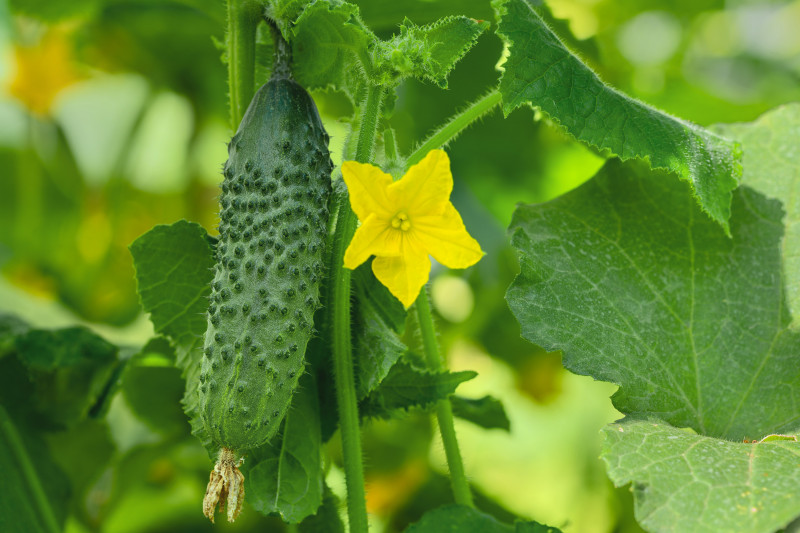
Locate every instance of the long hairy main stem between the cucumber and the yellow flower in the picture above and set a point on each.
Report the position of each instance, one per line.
(341, 327)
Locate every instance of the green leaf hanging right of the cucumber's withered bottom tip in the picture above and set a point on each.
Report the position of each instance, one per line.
(285, 476)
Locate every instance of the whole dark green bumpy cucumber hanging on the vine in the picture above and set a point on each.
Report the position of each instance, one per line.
(274, 214)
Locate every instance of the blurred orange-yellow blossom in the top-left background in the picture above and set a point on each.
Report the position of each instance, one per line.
(42, 71)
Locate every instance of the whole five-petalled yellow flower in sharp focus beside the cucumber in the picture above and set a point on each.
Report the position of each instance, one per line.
(404, 221)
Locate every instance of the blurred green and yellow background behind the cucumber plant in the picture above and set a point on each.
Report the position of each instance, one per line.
(113, 118)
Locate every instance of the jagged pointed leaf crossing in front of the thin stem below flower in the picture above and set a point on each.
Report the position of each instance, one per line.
(406, 387)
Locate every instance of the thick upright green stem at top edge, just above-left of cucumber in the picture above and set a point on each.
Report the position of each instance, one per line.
(243, 18)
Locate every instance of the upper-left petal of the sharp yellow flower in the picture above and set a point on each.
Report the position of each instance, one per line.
(367, 186)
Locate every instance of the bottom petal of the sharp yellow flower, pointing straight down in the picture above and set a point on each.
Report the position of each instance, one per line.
(405, 275)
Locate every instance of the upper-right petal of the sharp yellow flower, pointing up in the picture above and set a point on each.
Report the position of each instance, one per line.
(425, 189)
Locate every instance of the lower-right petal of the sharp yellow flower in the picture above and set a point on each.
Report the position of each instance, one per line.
(446, 239)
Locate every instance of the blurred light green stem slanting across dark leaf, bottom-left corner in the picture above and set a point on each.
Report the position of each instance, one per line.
(11, 440)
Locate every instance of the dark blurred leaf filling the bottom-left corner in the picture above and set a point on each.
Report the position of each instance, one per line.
(34, 490)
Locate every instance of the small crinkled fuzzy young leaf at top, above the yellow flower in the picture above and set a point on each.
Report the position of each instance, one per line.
(428, 52)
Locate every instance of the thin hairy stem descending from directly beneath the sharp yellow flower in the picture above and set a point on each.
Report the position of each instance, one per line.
(444, 410)
